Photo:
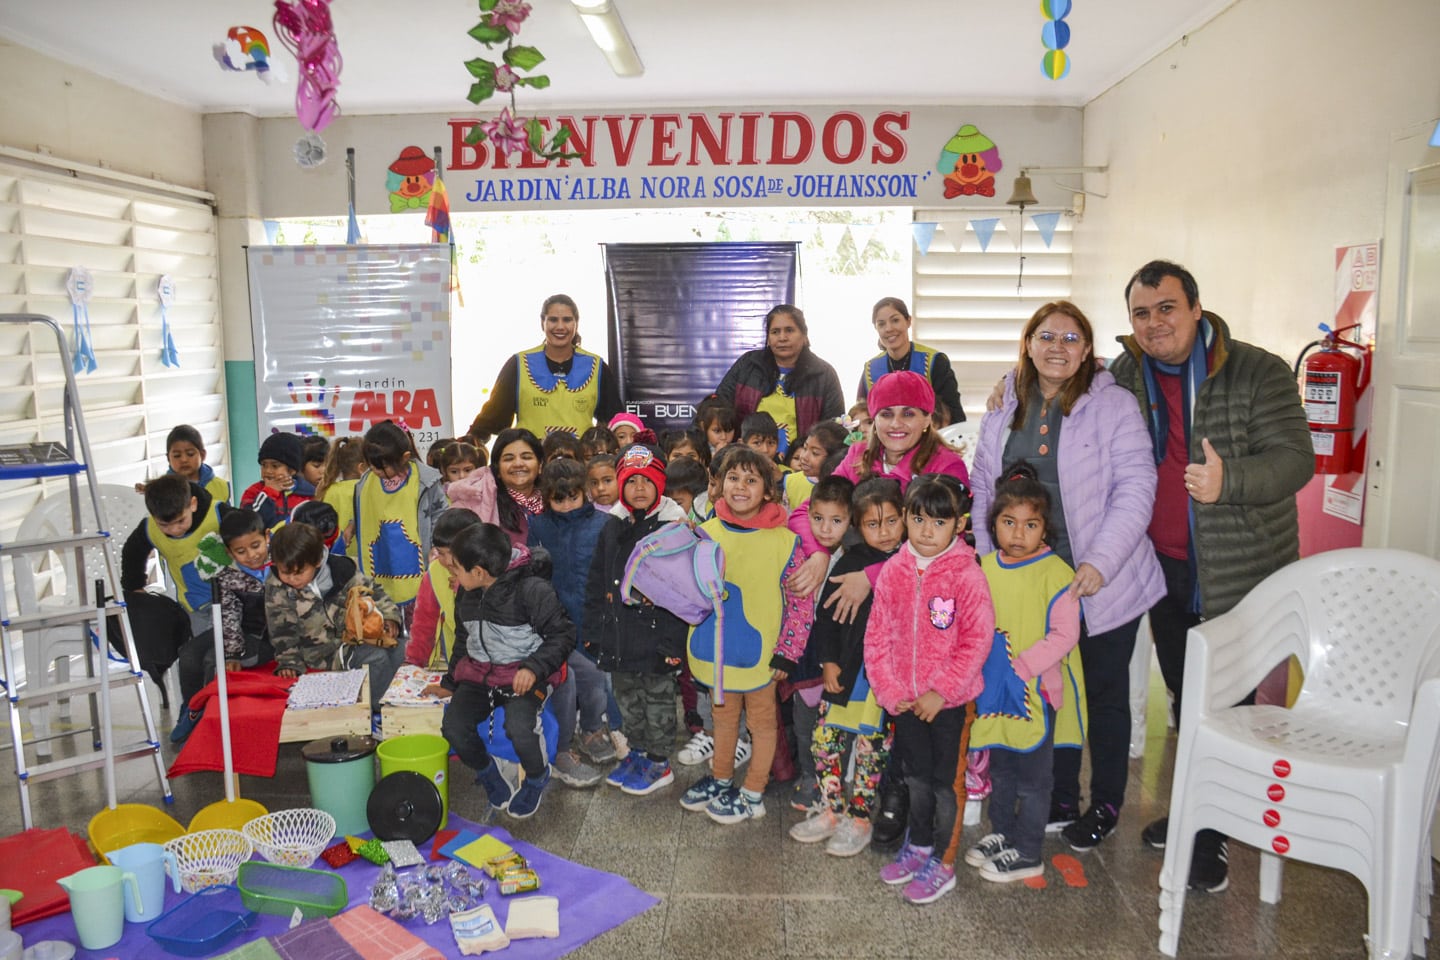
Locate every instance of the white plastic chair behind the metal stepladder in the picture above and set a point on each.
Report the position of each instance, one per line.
(47, 647)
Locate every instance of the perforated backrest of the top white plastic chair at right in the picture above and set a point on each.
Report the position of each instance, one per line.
(1374, 628)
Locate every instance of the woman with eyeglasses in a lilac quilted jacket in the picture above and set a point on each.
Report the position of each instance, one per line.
(1091, 450)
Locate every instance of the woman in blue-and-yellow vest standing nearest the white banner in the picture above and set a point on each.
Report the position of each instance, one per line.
(555, 386)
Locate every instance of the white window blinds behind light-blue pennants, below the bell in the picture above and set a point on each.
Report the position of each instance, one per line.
(967, 302)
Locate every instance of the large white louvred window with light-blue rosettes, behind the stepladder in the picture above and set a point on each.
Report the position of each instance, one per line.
(127, 238)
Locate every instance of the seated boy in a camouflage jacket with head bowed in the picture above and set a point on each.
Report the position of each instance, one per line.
(306, 595)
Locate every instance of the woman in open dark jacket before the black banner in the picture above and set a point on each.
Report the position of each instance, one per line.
(784, 379)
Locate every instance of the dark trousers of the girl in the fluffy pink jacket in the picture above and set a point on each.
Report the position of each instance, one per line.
(931, 753)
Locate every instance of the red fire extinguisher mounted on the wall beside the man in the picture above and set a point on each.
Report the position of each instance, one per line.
(1333, 384)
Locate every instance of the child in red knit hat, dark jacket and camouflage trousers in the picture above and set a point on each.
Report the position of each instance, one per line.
(640, 646)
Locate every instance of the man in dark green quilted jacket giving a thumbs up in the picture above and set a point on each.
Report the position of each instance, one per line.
(1232, 451)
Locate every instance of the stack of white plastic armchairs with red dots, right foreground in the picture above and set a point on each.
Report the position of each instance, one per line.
(1349, 776)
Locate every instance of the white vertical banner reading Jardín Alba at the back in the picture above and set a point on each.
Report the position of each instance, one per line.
(351, 336)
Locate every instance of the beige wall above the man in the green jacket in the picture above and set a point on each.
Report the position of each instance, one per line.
(1251, 152)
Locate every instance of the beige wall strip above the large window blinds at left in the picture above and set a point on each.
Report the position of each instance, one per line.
(67, 112)
